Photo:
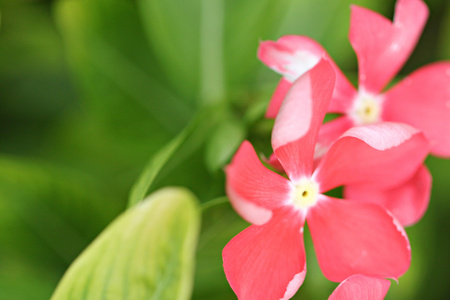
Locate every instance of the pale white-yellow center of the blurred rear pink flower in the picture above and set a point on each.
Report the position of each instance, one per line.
(366, 109)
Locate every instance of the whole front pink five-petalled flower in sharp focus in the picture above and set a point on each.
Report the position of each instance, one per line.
(267, 260)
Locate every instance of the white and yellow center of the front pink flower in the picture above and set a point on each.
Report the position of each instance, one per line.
(304, 193)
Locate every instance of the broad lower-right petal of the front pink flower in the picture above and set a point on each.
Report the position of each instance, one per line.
(357, 238)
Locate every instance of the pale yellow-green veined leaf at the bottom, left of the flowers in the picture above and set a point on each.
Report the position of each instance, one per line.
(146, 253)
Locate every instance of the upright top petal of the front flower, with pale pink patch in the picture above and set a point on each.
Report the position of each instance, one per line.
(297, 124)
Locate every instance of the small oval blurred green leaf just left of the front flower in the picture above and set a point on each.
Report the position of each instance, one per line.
(223, 143)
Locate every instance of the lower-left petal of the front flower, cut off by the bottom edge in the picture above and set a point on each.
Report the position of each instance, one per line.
(268, 261)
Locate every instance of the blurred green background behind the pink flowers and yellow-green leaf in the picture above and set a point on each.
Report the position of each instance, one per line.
(92, 89)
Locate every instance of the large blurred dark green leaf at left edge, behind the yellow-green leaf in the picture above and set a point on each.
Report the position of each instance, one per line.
(48, 215)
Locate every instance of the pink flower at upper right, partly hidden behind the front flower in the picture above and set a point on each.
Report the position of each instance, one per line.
(421, 100)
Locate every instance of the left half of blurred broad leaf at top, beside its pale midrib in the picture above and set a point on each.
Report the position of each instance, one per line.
(172, 28)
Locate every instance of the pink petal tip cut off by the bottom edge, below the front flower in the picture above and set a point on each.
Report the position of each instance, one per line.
(361, 287)
